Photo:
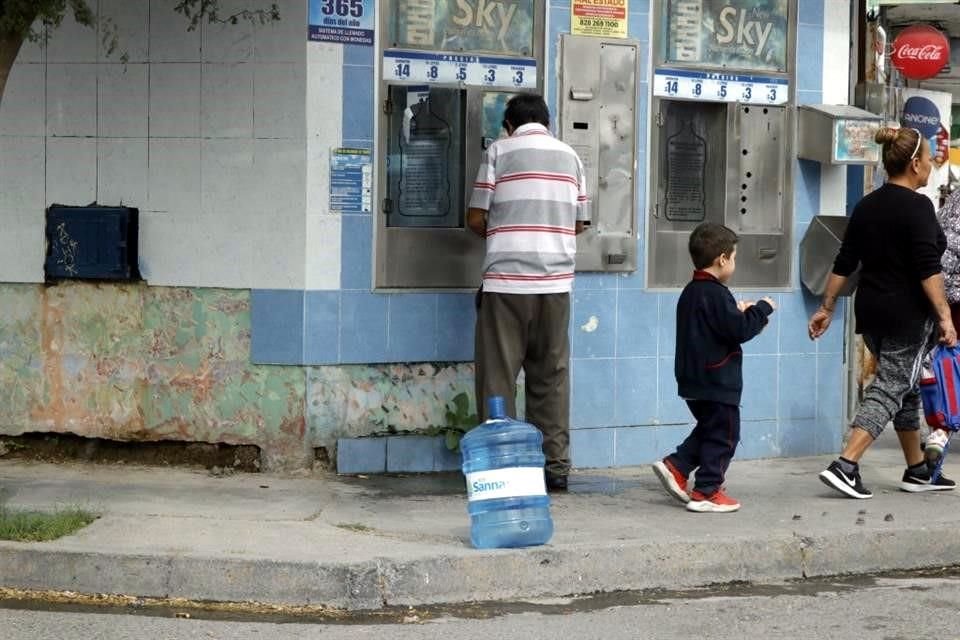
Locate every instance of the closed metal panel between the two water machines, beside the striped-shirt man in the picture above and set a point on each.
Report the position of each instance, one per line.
(598, 102)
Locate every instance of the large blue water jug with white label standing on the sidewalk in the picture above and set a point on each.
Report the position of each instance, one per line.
(506, 493)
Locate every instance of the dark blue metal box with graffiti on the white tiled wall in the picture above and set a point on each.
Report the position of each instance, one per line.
(92, 242)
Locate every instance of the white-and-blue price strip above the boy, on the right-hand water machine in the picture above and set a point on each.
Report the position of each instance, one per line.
(720, 87)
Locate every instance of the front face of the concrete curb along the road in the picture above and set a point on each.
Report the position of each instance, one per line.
(477, 576)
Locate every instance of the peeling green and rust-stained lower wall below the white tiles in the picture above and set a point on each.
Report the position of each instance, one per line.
(139, 363)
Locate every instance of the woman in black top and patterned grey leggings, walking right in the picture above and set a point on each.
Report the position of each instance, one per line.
(900, 308)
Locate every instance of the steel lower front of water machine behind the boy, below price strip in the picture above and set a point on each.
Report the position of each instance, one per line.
(723, 163)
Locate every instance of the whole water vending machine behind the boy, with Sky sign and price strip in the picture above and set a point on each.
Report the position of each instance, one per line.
(721, 143)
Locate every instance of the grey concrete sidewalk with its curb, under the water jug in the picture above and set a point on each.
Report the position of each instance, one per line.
(367, 543)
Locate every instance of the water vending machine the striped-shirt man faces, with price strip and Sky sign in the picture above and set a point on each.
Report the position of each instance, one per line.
(447, 71)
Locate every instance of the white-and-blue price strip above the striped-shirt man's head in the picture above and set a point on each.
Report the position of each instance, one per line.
(452, 68)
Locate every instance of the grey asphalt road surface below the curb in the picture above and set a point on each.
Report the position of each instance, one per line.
(887, 608)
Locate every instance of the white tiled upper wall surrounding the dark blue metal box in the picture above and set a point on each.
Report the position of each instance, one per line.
(205, 132)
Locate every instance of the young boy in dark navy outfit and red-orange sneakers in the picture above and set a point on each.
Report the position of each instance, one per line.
(711, 326)
